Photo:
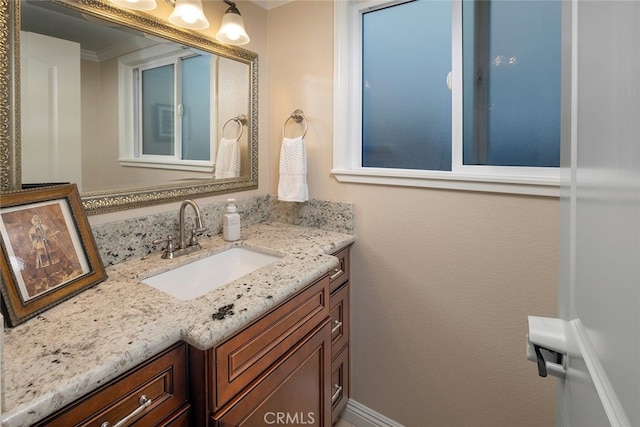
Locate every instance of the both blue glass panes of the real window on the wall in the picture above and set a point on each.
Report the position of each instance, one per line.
(511, 55)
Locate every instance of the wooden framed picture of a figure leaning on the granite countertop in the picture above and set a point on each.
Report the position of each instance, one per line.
(48, 250)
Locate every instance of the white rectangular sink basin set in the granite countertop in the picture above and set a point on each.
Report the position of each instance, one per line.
(192, 280)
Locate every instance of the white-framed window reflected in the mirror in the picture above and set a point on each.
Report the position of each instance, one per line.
(167, 97)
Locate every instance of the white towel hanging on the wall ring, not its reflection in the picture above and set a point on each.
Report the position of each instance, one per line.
(293, 171)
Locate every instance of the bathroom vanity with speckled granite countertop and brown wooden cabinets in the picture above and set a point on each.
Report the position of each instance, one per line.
(274, 343)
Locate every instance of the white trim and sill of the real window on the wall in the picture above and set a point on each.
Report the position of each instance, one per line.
(347, 137)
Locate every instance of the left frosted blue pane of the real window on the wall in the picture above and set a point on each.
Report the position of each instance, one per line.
(406, 104)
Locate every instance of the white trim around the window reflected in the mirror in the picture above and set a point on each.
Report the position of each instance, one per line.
(127, 143)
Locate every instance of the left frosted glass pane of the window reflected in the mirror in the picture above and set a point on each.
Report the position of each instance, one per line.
(158, 111)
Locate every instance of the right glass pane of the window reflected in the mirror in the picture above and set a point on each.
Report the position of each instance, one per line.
(196, 123)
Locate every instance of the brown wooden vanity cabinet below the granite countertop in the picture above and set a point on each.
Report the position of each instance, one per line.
(290, 366)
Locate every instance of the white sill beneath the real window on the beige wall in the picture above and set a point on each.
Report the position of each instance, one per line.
(536, 186)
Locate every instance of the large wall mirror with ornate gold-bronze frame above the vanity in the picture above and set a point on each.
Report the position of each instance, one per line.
(96, 124)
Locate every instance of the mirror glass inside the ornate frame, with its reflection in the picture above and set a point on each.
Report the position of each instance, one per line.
(114, 107)
